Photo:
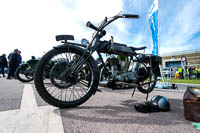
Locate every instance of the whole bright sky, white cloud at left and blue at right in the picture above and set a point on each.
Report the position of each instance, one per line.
(31, 25)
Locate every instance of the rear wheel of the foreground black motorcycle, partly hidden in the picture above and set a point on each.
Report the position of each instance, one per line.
(148, 85)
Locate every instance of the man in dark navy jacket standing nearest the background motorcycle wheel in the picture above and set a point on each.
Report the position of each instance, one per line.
(13, 62)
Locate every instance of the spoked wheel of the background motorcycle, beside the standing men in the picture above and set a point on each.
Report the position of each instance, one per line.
(24, 73)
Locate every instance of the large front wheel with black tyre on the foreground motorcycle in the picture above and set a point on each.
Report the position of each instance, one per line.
(60, 79)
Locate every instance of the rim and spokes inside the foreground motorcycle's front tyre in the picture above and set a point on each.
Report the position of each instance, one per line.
(60, 83)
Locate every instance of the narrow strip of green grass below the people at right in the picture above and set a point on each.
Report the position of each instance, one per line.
(187, 81)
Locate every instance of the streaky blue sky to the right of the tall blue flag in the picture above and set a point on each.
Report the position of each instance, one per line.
(178, 25)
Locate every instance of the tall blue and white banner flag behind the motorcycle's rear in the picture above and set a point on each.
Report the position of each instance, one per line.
(153, 21)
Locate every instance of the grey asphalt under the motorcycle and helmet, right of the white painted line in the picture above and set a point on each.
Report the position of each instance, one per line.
(113, 112)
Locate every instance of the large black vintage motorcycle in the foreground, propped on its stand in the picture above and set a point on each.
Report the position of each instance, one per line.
(75, 76)
